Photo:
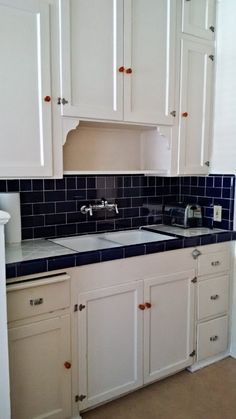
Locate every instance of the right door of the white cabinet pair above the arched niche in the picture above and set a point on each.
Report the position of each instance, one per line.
(149, 45)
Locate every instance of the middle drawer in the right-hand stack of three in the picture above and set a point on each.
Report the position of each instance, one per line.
(213, 296)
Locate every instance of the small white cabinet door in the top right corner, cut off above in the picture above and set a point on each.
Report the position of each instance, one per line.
(199, 18)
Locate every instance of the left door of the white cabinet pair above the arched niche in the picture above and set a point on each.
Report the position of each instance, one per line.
(91, 55)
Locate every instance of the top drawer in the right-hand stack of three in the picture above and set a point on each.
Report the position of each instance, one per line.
(213, 263)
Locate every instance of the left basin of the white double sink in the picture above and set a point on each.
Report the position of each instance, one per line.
(85, 243)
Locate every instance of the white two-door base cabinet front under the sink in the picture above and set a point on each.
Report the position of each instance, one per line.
(130, 312)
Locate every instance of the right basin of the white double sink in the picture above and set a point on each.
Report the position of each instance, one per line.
(130, 237)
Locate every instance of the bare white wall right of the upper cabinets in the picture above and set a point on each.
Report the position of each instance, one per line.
(224, 134)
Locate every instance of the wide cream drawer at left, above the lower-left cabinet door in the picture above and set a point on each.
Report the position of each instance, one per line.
(37, 297)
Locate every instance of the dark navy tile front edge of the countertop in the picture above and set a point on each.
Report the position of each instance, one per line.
(48, 264)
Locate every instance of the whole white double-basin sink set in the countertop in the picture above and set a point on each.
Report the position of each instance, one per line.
(109, 240)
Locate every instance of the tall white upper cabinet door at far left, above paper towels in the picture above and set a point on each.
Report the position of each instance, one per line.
(25, 89)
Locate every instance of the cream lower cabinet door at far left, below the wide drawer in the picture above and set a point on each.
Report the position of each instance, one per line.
(39, 378)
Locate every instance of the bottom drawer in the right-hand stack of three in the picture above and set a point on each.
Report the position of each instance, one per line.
(212, 337)
